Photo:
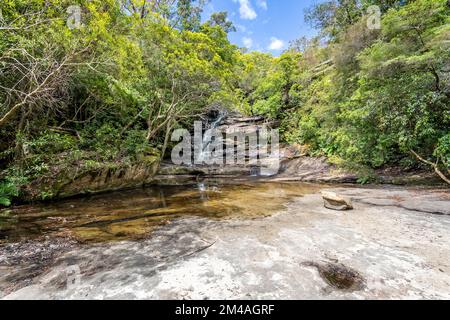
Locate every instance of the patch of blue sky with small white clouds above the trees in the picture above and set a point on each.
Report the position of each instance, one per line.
(264, 25)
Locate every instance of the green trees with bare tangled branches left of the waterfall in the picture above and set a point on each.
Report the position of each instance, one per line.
(110, 90)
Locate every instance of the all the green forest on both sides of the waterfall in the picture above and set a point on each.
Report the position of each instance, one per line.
(114, 88)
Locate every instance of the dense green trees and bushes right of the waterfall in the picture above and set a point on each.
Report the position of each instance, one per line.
(377, 95)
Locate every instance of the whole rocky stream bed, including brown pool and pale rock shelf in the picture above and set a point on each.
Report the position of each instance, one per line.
(209, 232)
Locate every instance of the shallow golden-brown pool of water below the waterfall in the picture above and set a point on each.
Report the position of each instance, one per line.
(134, 214)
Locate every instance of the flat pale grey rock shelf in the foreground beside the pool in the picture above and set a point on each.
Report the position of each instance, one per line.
(395, 243)
